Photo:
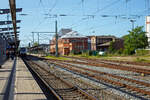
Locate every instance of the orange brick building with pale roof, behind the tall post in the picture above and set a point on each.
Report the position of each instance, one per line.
(70, 42)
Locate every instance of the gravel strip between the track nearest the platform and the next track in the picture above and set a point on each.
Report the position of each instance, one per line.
(94, 89)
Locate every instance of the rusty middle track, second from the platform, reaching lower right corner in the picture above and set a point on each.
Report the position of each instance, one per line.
(130, 84)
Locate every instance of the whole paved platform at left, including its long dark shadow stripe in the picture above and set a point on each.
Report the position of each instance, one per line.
(17, 83)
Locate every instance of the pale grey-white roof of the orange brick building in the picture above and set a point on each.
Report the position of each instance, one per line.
(73, 34)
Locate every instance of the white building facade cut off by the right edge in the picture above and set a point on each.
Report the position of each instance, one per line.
(148, 29)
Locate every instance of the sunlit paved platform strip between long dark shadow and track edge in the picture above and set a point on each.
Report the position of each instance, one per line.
(26, 87)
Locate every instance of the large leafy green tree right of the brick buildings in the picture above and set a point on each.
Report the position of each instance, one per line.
(136, 39)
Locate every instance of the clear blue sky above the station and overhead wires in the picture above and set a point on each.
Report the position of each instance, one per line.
(37, 20)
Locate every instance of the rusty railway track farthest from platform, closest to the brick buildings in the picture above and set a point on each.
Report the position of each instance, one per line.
(138, 70)
